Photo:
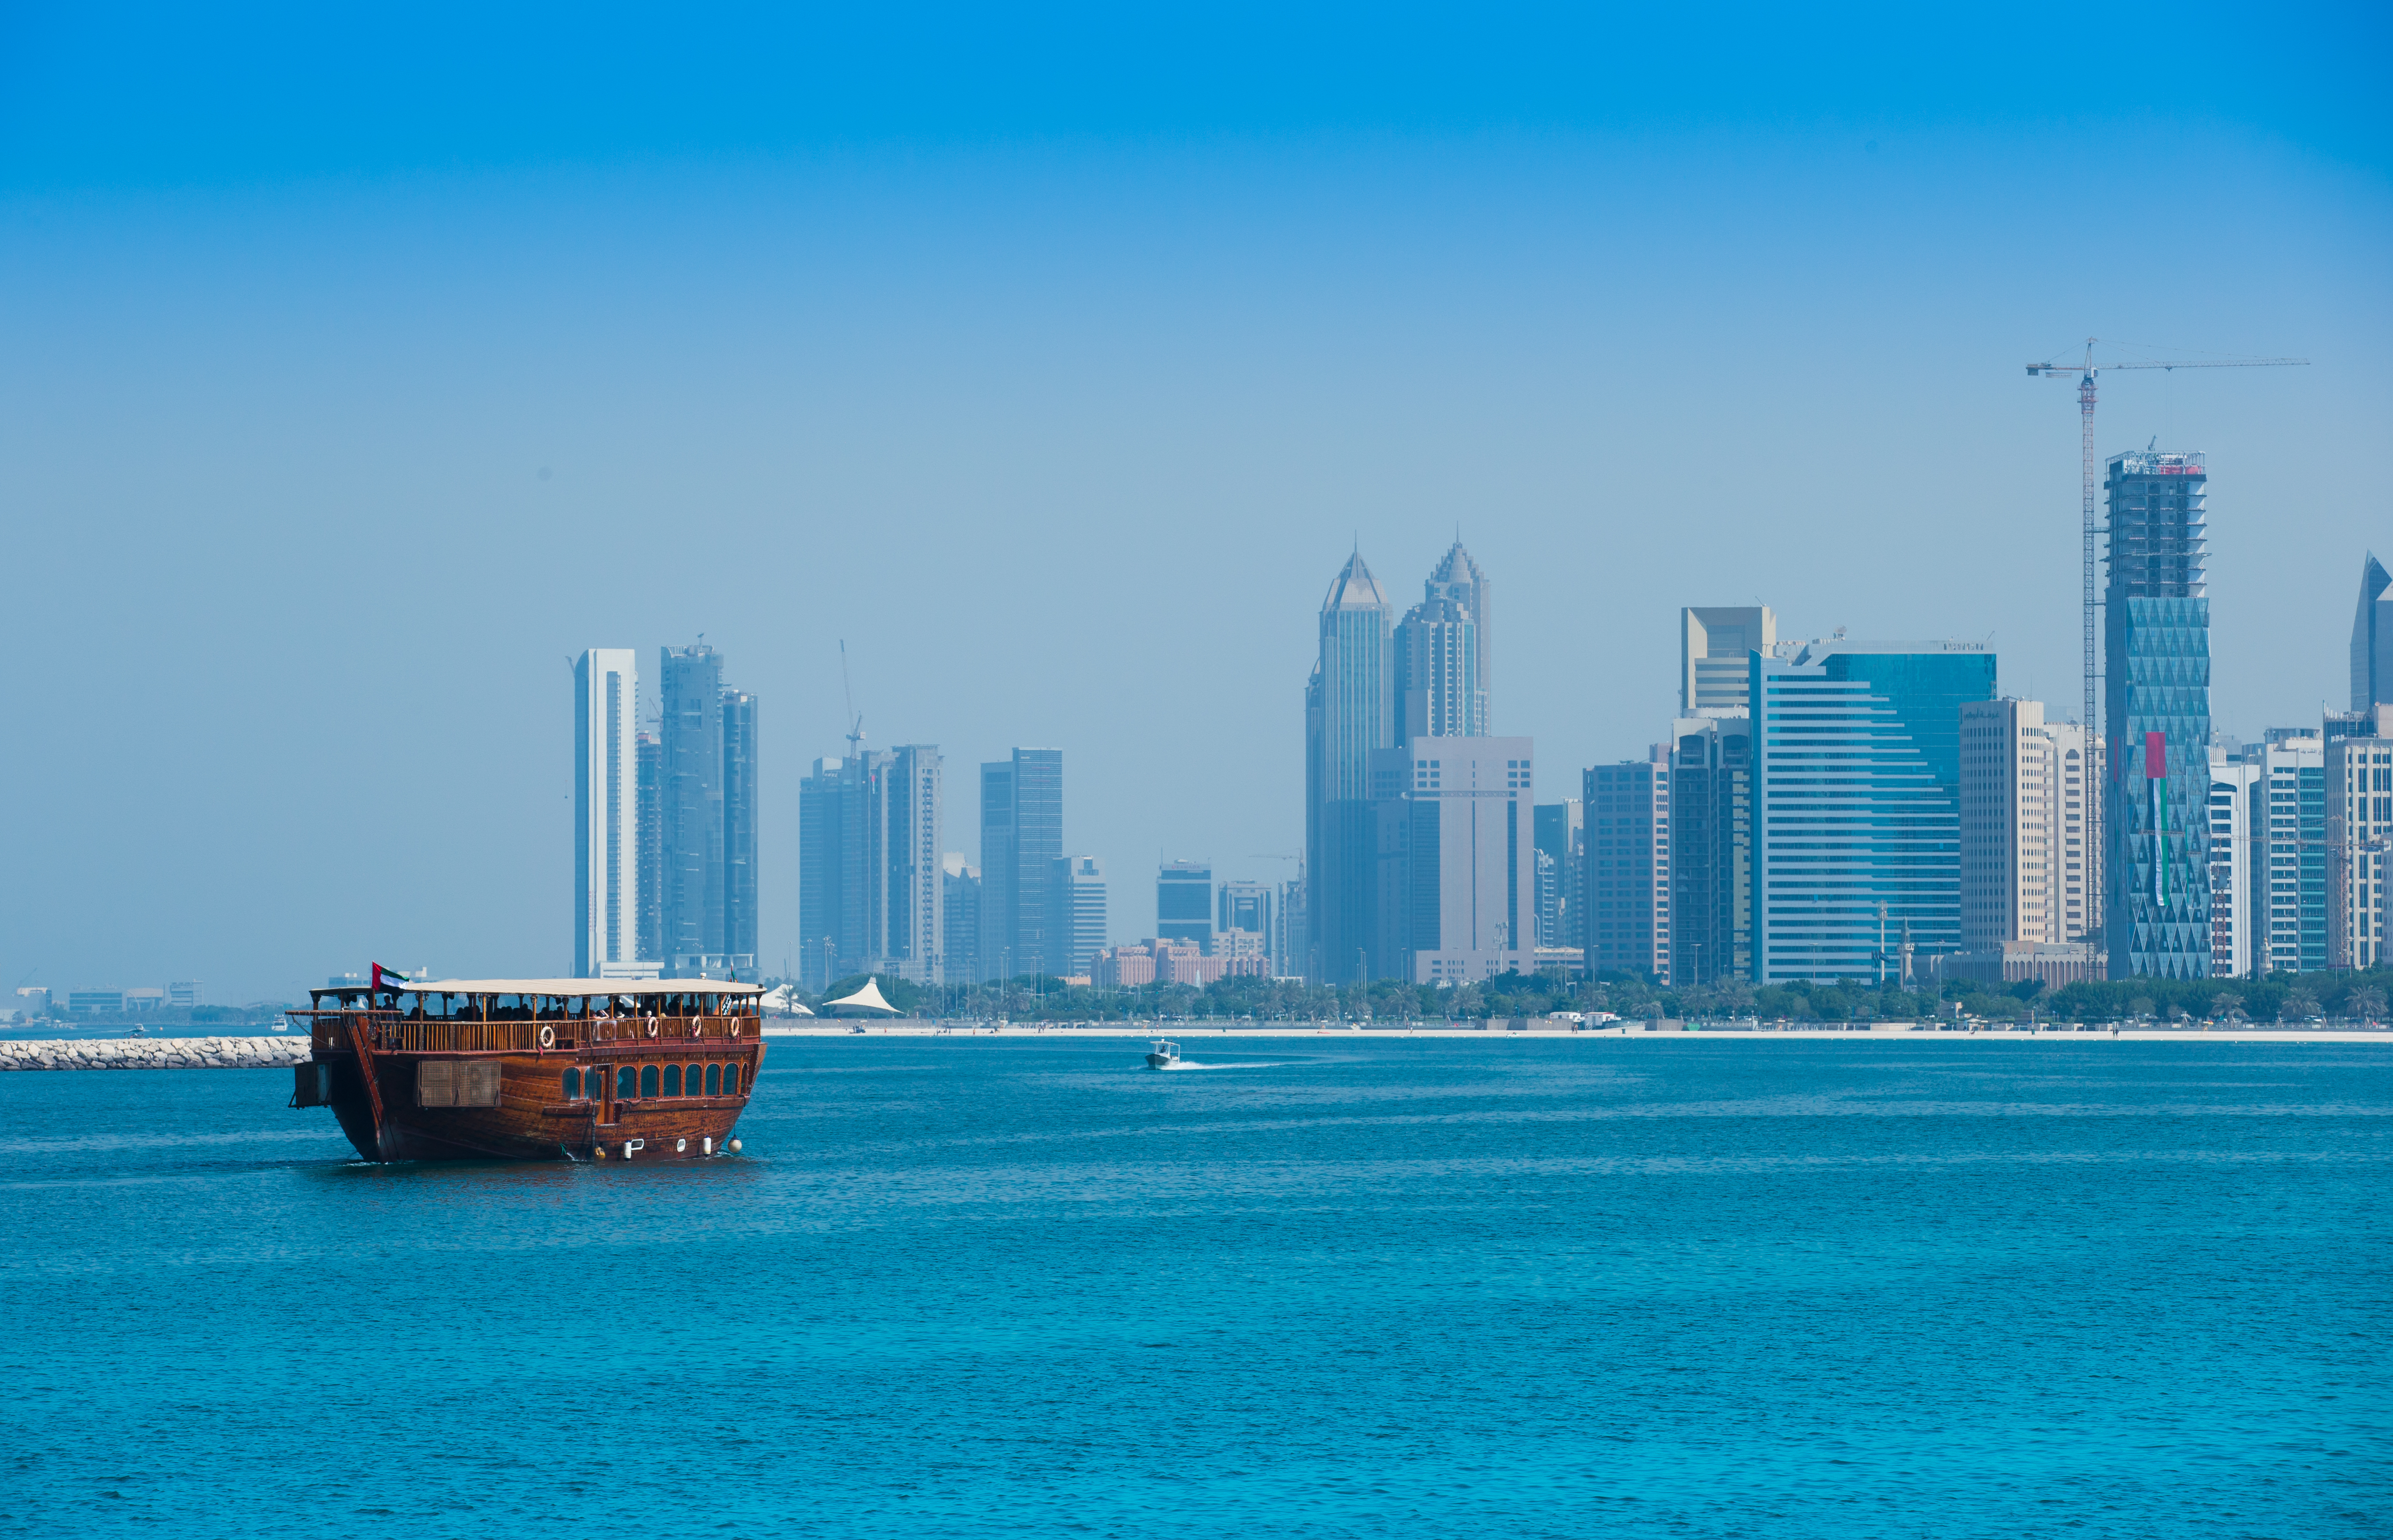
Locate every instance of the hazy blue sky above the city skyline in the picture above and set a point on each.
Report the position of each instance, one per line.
(355, 372)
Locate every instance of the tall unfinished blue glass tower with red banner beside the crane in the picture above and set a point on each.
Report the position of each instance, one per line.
(2157, 719)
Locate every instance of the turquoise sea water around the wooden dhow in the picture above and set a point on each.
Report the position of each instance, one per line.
(1339, 1288)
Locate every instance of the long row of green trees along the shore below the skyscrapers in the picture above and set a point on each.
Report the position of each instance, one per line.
(2358, 996)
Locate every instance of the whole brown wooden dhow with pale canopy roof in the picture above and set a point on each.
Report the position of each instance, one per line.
(532, 1068)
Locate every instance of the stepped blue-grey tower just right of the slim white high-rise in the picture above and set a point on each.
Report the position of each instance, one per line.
(707, 819)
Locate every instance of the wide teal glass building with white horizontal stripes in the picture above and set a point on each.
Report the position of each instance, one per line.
(1858, 802)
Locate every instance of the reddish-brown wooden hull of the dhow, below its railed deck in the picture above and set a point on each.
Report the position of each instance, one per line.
(530, 1118)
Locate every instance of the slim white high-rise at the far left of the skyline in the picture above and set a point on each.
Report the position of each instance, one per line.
(607, 817)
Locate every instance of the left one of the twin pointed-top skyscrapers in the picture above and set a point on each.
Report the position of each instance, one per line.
(1348, 716)
